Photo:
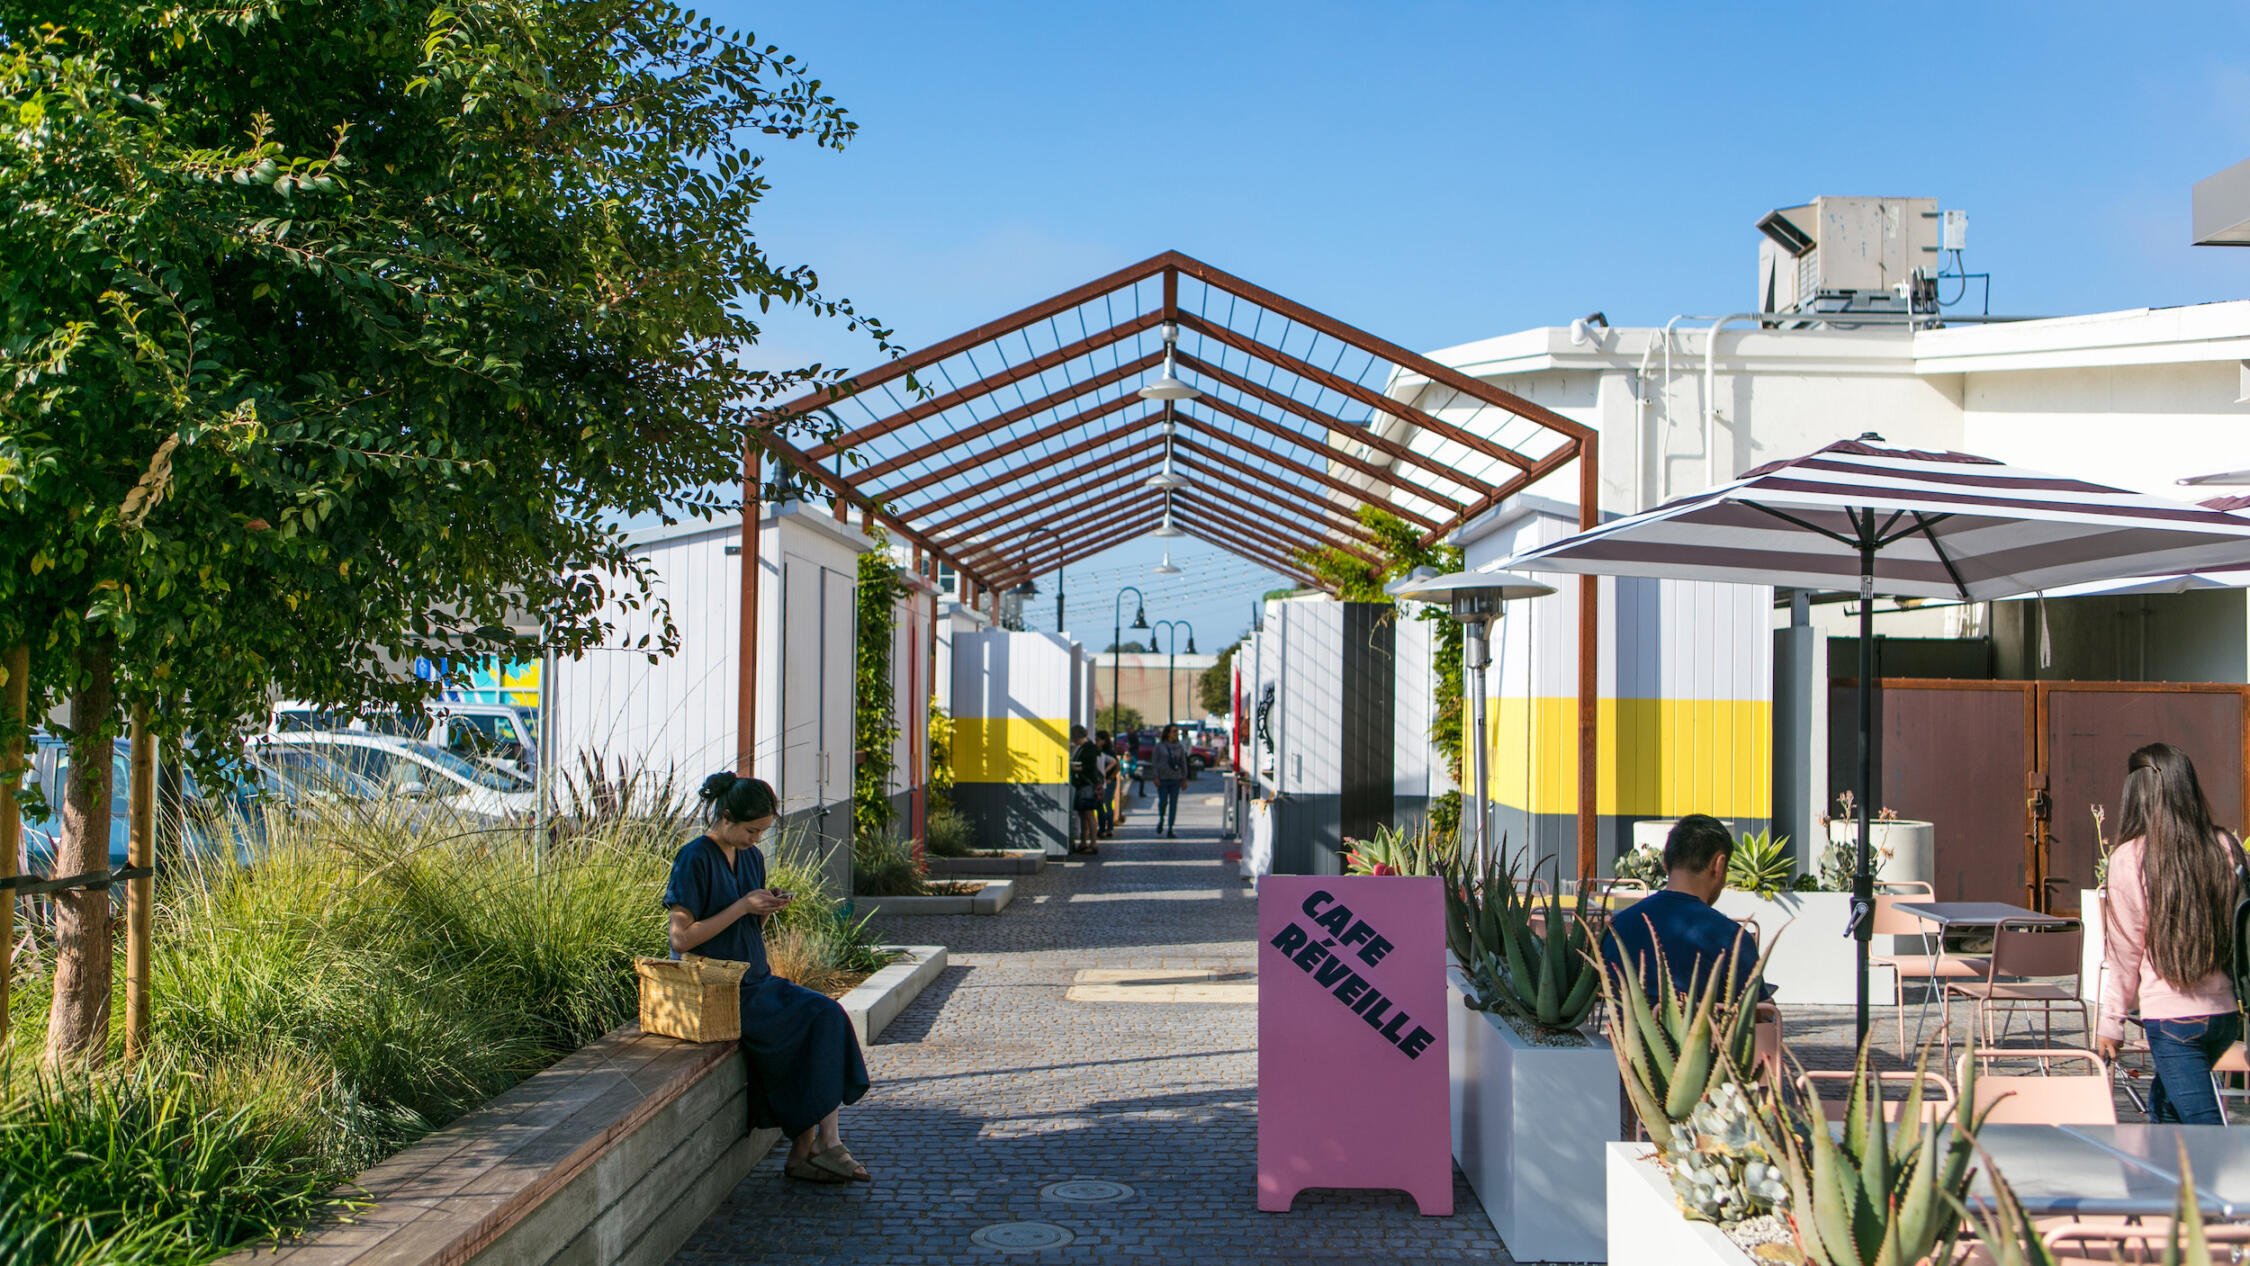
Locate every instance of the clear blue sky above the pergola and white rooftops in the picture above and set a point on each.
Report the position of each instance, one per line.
(1455, 172)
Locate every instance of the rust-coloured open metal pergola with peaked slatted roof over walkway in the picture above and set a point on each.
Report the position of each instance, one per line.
(1027, 444)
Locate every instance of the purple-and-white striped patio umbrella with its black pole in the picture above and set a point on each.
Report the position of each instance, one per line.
(1869, 518)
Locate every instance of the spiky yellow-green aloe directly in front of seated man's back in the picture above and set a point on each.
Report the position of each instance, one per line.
(1671, 1051)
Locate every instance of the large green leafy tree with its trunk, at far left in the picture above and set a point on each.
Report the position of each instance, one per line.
(343, 334)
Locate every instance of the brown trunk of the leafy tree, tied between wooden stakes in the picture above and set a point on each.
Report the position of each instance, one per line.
(80, 1024)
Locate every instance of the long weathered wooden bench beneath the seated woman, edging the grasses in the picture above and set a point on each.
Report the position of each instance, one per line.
(611, 1157)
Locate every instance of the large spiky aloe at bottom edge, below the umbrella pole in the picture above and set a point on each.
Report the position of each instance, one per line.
(1887, 1193)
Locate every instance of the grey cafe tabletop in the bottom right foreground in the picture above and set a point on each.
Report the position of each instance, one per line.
(2116, 1170)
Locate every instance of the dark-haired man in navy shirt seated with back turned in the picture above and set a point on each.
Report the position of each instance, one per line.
(1680, 921)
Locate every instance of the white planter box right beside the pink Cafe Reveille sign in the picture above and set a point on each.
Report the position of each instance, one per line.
(1529, 1132)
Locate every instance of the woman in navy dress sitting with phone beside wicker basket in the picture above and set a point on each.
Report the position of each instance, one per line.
(804, 1058)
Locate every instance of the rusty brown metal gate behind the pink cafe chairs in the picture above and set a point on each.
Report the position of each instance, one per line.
(2008, 772)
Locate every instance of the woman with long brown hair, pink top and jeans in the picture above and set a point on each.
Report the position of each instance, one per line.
(2168, 934)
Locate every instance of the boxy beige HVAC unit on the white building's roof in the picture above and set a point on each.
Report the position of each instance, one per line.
(1851, 255)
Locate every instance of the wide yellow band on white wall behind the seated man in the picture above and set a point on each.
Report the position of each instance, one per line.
(1657, 757)
